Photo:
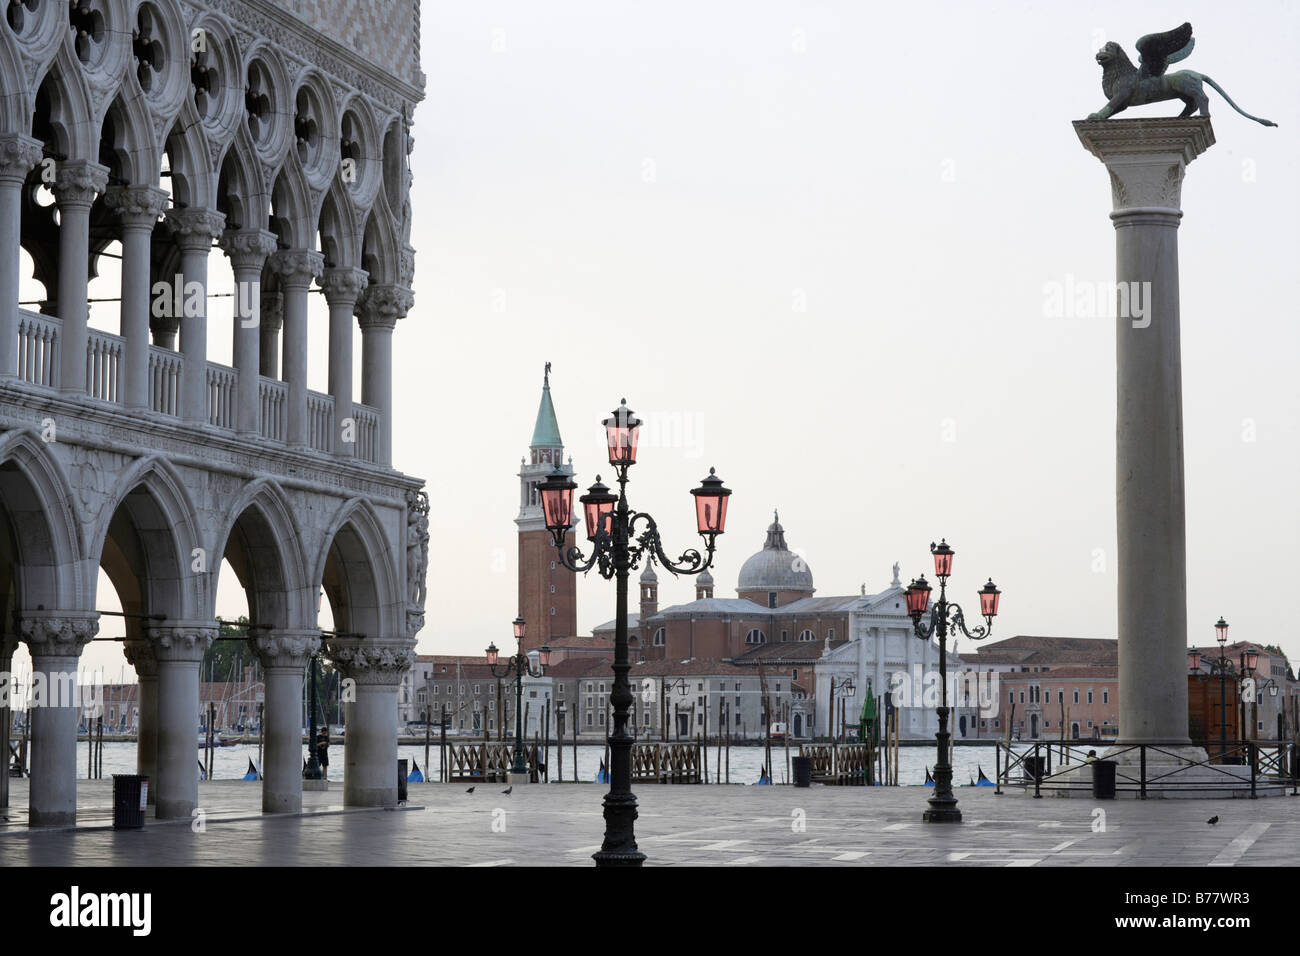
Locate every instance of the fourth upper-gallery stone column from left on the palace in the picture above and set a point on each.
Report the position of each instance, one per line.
(194, 231)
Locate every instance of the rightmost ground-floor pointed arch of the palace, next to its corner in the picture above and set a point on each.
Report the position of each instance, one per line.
(356, 569)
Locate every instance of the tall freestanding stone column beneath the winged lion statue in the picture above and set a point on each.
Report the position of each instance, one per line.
(1147, 161)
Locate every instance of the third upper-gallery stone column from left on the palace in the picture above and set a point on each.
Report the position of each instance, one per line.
(138, 210)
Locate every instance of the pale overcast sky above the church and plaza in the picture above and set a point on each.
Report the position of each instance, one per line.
(812, 244)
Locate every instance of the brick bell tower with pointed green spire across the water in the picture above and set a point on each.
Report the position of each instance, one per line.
(548, 591)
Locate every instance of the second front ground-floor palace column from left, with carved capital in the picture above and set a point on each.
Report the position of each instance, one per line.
(179, 650)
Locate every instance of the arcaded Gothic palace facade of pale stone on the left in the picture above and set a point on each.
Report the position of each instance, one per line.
(275, 133)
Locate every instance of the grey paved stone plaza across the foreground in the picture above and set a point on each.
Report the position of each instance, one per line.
(694, 827)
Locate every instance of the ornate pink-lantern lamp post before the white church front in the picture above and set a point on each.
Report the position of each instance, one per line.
(944, 617)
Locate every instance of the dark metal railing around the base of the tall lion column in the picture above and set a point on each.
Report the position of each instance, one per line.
(1269, 763)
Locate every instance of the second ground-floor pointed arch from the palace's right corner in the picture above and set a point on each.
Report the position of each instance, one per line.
(266, 550)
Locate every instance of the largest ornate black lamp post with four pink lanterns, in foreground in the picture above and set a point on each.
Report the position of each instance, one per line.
(617, 550)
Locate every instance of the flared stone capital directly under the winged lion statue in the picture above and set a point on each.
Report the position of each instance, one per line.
(1146, 158)
